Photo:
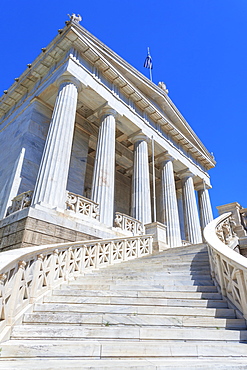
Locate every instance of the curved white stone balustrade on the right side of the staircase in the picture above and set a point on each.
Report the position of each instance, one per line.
(228, 268)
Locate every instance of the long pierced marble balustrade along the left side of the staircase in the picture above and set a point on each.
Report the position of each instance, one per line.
(28, 273)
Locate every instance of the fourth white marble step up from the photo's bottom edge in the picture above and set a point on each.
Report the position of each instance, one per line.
(144, 320)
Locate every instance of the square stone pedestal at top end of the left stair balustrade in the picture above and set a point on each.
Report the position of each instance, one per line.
(158, 231)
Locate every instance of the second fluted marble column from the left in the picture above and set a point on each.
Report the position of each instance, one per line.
(104, 167)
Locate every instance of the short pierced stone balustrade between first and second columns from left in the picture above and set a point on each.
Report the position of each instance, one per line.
(82, 205)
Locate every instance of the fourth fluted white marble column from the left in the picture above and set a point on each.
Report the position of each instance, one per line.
(169, 200)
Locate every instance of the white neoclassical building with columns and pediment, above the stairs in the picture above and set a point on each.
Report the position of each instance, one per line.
(91, 148)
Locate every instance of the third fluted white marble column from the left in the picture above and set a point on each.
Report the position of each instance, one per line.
(141, 199)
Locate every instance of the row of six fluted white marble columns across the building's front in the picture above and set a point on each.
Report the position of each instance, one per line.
(50, 188)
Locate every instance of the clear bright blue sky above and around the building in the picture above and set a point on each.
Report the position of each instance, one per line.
(198, 49)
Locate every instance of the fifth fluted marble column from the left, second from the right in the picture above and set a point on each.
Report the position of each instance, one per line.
(192, 224)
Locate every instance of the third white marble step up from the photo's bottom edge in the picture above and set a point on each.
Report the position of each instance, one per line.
(123, 332)
